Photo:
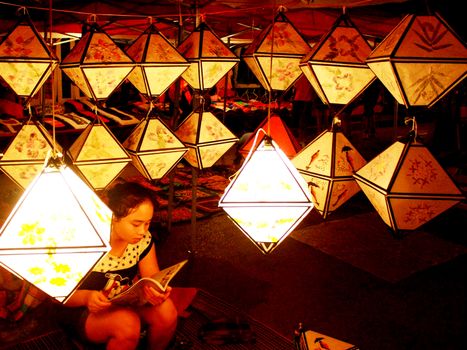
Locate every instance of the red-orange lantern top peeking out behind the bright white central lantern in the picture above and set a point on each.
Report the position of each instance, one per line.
(279, 131)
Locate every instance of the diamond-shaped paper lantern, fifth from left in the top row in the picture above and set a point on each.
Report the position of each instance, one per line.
(285, 44)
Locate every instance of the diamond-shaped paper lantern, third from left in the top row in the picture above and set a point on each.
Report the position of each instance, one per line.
(158, 63)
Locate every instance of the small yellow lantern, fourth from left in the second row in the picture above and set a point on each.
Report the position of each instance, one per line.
(206, 137)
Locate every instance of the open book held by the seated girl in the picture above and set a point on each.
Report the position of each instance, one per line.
(134, 295)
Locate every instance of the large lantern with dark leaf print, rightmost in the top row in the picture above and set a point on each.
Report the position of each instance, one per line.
(420, 61)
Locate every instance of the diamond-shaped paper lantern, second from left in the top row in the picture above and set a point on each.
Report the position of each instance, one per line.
(96, 64)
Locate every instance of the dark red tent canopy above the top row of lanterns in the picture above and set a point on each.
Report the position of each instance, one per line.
(233, 20)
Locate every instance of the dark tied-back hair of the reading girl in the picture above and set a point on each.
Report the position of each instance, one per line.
(125, 196)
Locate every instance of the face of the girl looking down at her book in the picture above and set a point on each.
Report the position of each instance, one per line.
(131, 228)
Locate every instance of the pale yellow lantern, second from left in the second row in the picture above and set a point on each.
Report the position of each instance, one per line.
(98, 155)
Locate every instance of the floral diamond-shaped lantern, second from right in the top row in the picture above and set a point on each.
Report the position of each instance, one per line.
(336, 65)
